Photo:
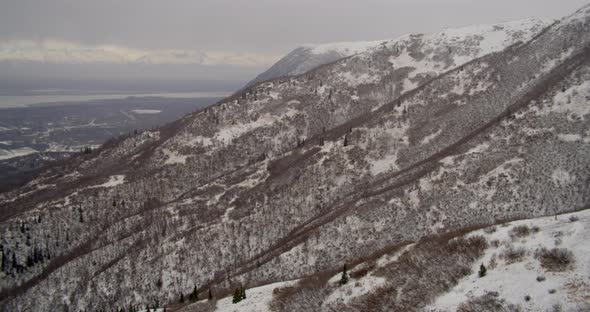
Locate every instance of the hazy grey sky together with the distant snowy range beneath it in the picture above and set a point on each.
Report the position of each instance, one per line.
(212, 45)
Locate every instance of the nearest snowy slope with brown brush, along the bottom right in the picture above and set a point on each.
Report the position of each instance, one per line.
(520, 274)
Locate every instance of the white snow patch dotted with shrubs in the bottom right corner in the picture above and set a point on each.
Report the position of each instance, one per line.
(518, 277)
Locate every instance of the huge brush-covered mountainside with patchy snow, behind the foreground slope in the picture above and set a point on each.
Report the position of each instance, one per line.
(298, 175)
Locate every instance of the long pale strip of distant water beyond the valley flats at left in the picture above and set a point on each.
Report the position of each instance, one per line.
(11, 101)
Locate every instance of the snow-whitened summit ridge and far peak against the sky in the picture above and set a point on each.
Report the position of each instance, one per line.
(471, 42)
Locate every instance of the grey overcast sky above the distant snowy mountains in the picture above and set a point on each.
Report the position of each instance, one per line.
(260, 30)
